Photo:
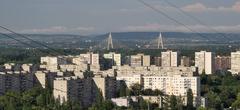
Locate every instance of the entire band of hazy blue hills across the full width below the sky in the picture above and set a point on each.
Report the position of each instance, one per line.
(128, 39)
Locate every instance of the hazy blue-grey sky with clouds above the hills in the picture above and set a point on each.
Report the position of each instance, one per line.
(85, 17)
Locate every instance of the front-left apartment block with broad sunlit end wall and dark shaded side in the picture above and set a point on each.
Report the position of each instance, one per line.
(73, 88)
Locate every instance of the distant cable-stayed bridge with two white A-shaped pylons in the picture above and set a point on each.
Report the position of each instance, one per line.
(110, 41)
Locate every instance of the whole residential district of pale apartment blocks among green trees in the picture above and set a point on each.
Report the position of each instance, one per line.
(80, 77)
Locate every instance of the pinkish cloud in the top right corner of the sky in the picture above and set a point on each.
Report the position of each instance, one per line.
(199, 7)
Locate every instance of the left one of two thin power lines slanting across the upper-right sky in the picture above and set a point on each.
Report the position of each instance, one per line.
(171, 18)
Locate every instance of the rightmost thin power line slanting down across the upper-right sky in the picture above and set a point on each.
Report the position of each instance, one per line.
(195, 18)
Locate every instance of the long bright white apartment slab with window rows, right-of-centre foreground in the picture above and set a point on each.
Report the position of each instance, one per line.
(176, 85)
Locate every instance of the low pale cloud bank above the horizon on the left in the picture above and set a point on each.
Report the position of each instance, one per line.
(58, 29)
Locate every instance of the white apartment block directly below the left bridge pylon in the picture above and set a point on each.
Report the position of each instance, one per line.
(116, 58)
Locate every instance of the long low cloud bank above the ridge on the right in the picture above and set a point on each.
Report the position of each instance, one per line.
(174, 28)
